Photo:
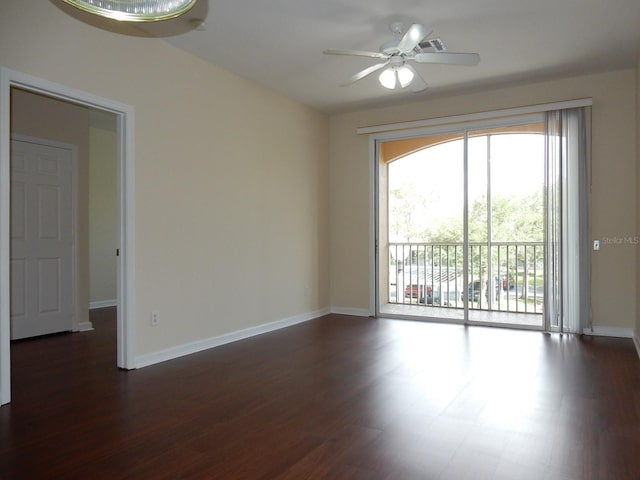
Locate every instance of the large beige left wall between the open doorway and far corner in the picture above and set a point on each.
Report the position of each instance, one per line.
(231, 179)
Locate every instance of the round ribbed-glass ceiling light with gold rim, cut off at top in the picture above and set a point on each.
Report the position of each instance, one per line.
(135, 10)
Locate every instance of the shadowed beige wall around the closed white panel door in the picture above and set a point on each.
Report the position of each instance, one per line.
(45, 118)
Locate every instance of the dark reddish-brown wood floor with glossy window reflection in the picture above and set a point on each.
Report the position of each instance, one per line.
(335, 398)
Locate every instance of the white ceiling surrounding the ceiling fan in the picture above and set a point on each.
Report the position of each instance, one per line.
(279, 43)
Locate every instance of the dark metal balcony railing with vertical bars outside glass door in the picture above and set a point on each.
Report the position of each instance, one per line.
(501, 276)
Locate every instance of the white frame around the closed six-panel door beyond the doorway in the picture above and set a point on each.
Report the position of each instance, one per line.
(73, 149)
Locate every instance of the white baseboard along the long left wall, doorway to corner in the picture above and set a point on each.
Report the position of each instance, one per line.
(207, 343)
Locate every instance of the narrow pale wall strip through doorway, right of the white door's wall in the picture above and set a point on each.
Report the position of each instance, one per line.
(103, 239)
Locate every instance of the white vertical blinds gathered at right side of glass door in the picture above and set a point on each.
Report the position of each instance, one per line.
(567, 307)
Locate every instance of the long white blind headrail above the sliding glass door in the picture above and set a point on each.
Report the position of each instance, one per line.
(544, 107)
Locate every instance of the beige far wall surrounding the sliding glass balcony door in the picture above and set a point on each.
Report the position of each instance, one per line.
(614, 205)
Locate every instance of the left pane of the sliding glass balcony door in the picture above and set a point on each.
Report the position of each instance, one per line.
(422, 225)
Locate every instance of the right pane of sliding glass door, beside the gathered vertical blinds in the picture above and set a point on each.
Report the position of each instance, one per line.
(506, 227)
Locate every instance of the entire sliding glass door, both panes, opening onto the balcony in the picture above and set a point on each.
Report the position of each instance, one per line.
(461, 224)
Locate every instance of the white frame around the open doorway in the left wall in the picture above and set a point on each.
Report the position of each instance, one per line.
(125, 223)
